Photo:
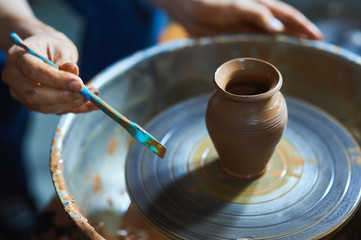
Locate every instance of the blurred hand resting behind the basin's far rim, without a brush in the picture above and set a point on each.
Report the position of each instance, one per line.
(212, 17)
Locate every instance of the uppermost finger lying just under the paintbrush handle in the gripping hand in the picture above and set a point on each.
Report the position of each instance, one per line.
(40, 72)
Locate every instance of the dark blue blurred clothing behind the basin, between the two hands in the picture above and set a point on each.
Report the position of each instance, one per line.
(115, 29)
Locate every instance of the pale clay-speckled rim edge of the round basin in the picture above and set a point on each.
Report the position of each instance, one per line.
(123, 65)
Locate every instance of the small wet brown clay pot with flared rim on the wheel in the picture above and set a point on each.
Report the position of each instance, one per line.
(246, 115)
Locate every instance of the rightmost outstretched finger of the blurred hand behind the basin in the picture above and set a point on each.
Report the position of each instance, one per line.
(294, 20)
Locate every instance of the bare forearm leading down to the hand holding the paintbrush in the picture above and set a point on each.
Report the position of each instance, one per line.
(17, 16)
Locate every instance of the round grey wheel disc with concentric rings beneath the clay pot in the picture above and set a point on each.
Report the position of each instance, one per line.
(308, 190)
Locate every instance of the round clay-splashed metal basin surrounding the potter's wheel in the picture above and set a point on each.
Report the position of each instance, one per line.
(89, 150)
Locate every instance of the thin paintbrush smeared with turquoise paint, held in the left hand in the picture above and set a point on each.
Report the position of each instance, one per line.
(133, 129)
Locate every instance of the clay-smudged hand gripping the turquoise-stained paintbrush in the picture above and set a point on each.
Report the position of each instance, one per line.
(41, 87)
